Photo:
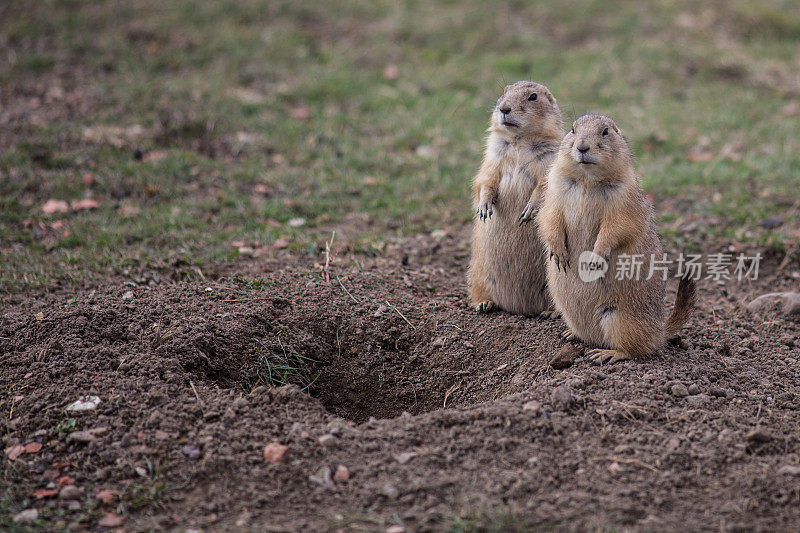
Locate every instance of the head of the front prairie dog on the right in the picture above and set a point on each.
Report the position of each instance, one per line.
(597, 145)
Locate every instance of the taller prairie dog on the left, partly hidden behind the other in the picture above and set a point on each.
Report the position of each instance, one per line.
(507, 269)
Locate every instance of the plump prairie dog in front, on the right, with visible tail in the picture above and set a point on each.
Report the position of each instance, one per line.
(592, 202)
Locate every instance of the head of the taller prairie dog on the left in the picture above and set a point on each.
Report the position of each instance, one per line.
(527, 109)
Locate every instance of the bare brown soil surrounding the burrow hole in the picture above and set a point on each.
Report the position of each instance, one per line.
(443, 418)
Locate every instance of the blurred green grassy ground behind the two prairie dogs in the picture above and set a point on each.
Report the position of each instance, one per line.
(197, 124)
